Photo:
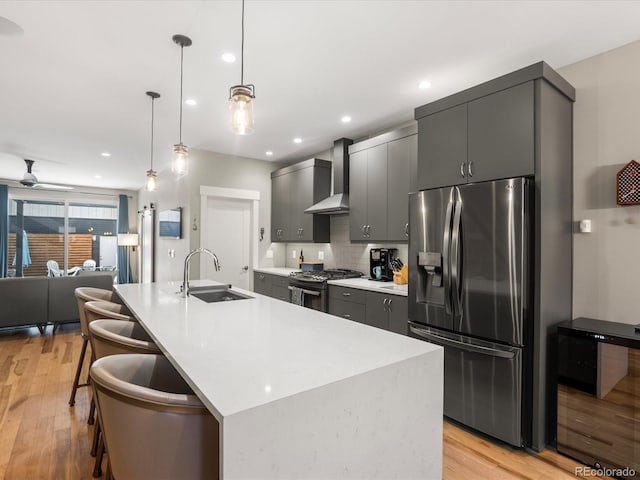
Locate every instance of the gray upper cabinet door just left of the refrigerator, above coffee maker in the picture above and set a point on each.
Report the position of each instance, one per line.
(401, 156)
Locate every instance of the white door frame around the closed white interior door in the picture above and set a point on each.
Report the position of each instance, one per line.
(253, 197)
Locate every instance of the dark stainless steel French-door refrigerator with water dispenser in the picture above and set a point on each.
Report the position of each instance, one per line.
(470, 291)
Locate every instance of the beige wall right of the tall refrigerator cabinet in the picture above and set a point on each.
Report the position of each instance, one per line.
(606, 137)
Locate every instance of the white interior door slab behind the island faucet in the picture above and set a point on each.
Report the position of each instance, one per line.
(227, 226)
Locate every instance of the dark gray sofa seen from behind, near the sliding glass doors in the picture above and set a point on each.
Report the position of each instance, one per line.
(42, 300)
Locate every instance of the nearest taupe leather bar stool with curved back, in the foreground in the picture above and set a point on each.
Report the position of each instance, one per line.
(154, 426)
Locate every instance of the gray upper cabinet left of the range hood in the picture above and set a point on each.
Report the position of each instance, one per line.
(293, 189)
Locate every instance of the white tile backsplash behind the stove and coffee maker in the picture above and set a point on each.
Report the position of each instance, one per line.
(340, 253)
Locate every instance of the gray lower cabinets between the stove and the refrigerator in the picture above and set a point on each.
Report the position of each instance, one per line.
(388, 312)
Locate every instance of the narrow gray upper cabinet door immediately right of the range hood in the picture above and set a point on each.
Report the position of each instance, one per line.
(358, 195)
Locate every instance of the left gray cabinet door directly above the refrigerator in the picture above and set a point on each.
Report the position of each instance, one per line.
(442, 148)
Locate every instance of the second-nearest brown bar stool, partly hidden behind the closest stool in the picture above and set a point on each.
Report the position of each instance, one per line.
(114, 337)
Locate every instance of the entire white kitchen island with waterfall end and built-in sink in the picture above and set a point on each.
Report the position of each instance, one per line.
(299, 393)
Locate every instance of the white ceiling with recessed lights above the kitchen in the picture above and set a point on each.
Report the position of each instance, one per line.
(74, 74)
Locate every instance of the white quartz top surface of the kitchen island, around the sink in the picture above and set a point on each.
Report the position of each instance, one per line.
(242, 354)
